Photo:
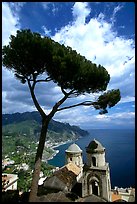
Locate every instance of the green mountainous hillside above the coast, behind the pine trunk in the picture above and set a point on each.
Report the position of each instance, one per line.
(21, 131)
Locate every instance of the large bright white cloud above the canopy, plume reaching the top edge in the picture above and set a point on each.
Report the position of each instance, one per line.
(97, 41)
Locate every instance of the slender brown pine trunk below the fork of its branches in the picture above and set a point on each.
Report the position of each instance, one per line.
(37, 168)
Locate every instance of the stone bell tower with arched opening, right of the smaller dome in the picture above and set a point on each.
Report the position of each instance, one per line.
(96, 176)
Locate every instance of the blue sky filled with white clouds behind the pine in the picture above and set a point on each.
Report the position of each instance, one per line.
(103, 32)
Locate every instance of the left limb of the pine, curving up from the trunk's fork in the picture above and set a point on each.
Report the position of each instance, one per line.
(31, 87)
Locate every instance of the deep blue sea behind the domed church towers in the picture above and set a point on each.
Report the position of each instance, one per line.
(120, 153)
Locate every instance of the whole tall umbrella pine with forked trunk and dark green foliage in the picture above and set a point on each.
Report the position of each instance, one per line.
(29, 56)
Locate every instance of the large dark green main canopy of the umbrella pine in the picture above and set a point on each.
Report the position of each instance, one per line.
(30, 55)
